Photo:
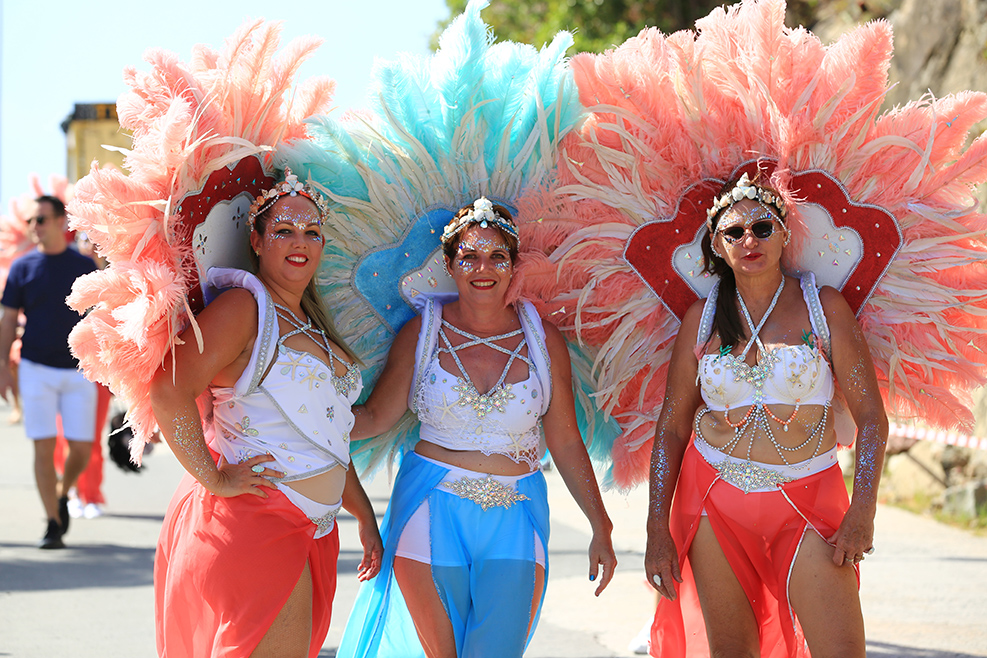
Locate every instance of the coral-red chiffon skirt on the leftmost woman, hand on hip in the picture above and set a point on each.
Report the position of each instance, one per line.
(224, 568)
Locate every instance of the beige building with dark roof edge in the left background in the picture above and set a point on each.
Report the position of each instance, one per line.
(87, 129)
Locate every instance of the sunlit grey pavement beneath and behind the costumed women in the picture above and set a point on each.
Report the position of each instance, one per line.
(924, 591)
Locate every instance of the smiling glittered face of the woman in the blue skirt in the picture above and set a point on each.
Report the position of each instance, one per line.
(482, 262)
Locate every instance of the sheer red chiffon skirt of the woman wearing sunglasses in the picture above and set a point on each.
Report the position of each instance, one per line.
(760, 534)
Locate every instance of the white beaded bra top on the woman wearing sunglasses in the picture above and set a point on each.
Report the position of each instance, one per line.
(794, 375)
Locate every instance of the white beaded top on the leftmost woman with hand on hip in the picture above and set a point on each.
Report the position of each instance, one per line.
(299, 411)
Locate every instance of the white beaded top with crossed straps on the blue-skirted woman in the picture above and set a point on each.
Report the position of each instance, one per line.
(455, 415)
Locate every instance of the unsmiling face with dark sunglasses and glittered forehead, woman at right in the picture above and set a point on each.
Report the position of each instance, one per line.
(750, 237)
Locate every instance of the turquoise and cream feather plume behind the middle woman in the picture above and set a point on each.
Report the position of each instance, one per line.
(476, 118)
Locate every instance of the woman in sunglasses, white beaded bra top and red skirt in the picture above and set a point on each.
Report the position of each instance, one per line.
(761, 537)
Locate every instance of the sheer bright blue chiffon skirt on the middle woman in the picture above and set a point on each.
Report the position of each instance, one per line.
(483, 567)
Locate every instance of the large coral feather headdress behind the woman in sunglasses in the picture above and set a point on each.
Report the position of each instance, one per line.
(882, 206)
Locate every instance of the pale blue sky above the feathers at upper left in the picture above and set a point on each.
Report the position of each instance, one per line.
(61, 52)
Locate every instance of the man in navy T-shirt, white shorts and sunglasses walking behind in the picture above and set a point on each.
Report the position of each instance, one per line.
(51, 383)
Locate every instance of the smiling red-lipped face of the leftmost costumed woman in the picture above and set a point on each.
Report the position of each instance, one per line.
(289, 249)
